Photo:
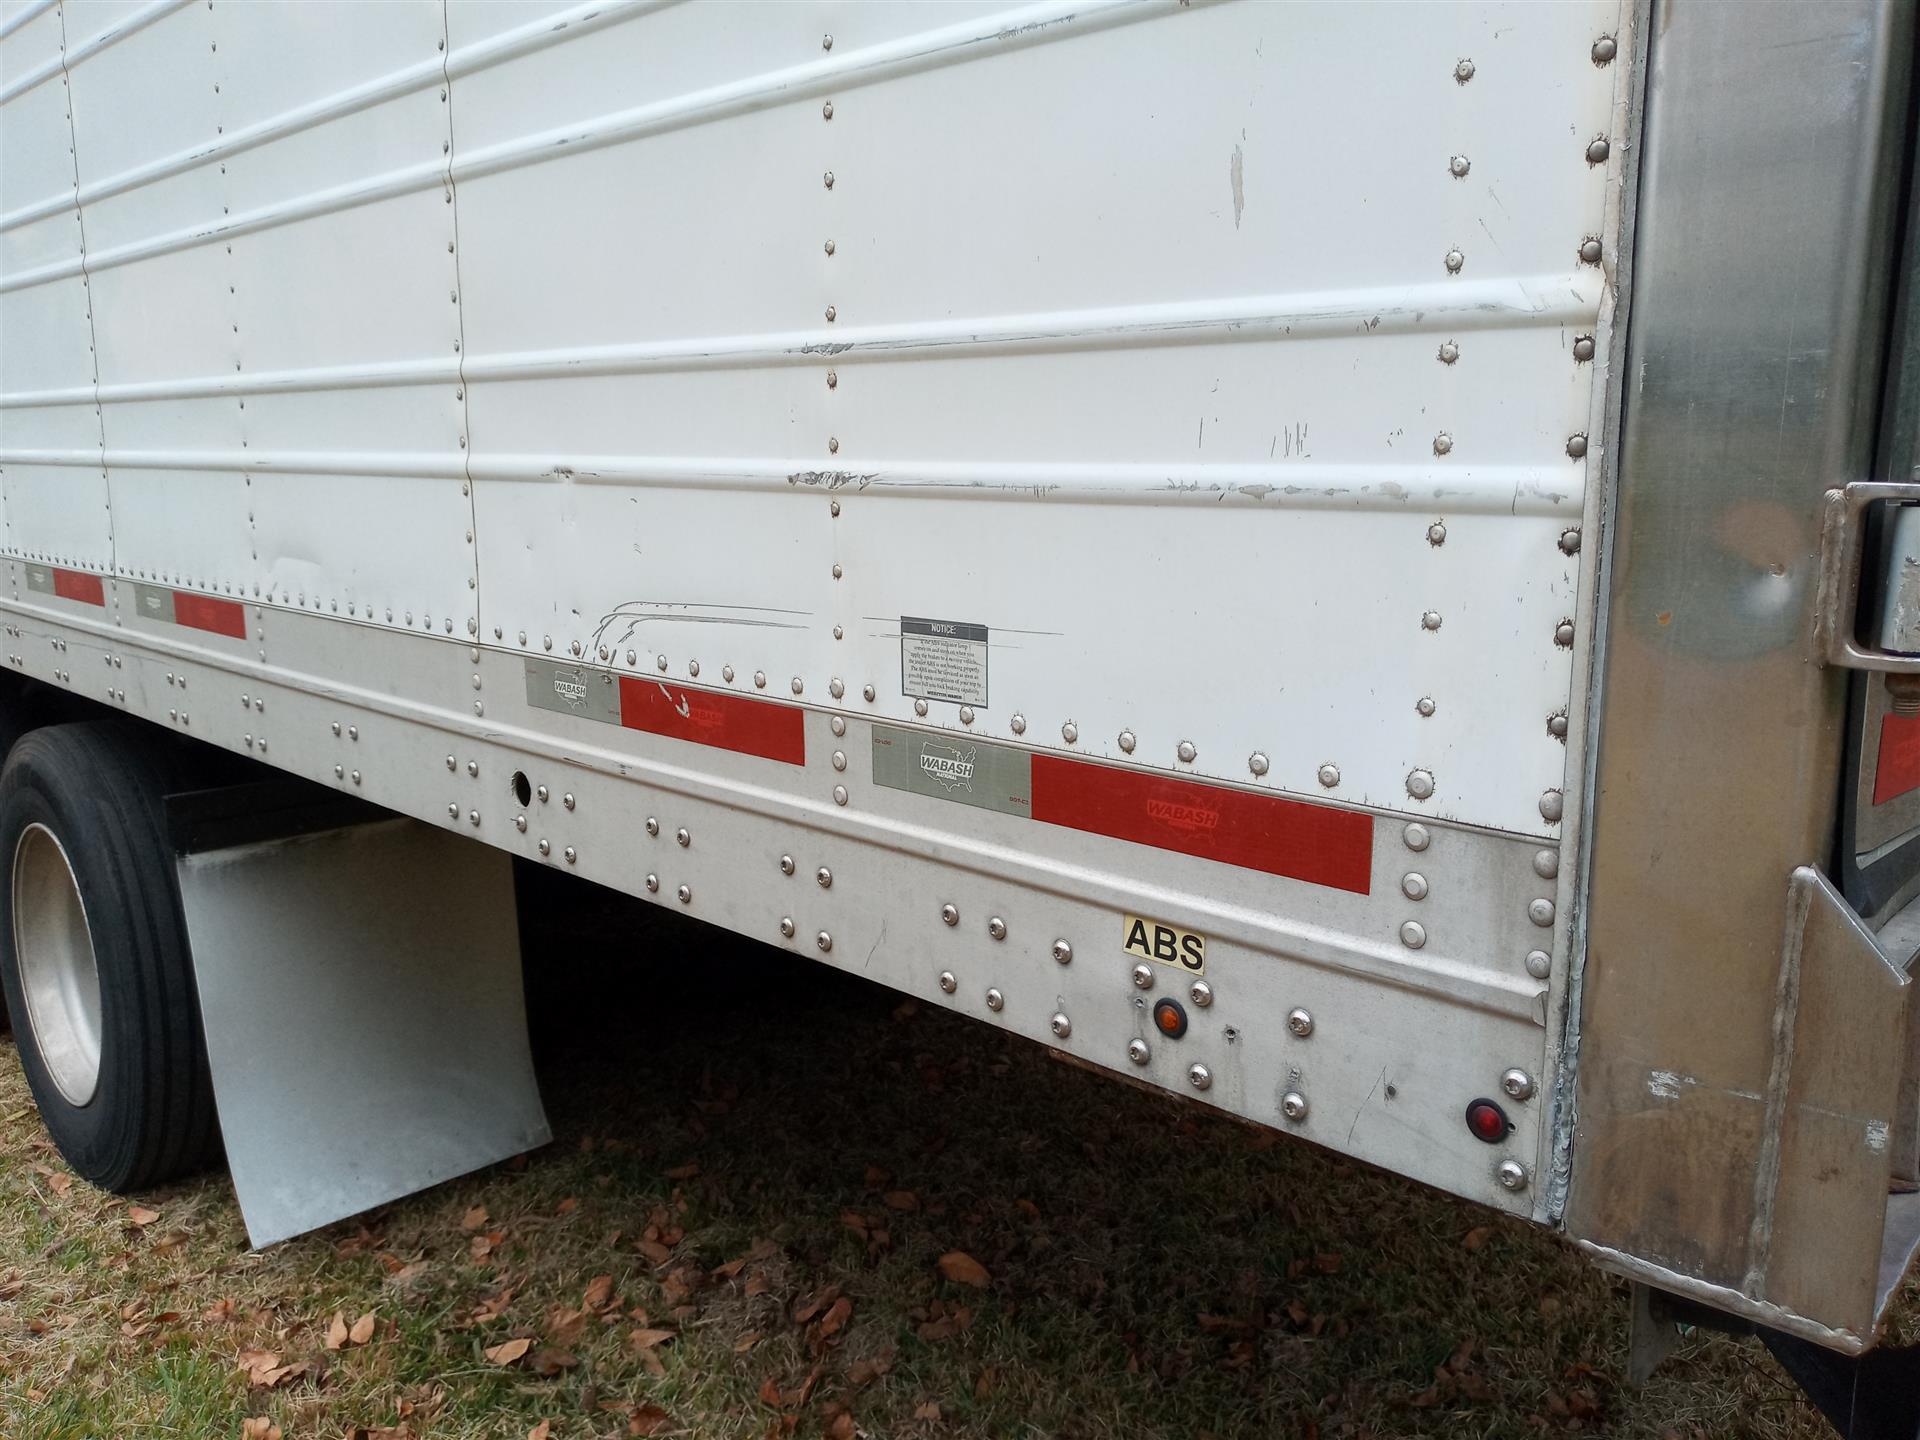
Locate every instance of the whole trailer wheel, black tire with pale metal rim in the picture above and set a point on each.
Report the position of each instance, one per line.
(95, 959)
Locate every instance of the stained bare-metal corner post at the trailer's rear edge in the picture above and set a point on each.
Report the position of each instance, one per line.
(1769, 183)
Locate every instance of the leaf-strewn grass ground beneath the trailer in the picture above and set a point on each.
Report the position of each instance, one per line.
(740, 1232)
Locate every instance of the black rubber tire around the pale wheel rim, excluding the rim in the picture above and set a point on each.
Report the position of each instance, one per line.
(97, 788)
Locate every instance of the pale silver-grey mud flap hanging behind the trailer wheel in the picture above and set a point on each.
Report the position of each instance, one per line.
(364, 1015)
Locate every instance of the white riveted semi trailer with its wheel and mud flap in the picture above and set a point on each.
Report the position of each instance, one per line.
(1349, 564)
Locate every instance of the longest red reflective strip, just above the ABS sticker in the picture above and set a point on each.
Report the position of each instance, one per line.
(1259, 832)
